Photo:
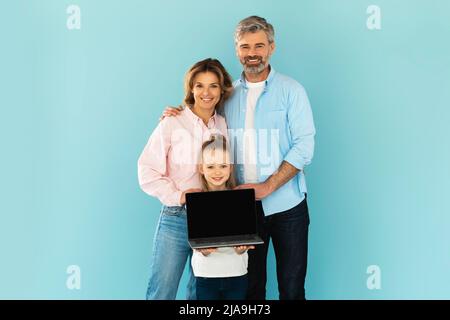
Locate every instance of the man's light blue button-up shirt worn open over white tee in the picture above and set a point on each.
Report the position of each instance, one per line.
(284, 129)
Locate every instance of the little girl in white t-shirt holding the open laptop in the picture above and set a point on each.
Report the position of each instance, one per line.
(221, 273)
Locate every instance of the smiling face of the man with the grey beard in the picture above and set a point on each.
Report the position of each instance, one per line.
(254, 51)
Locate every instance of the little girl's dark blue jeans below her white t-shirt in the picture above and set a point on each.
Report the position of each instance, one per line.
(232, 288)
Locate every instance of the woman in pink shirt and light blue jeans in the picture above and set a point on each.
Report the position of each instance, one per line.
(167, 169)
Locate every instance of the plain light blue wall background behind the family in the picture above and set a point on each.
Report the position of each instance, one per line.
(77, 107)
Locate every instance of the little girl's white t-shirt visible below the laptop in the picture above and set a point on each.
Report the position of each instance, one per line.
(223, 263)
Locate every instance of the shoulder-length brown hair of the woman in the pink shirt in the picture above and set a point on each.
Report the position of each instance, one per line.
(208, 65)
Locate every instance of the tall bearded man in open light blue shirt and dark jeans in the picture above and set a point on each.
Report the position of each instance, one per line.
(272, 132)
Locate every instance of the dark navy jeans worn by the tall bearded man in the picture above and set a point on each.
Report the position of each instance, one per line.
(289, 233)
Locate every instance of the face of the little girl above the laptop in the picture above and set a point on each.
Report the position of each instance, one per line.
(216, 168)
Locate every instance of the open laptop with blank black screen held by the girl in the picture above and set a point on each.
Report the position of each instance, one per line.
(222, 218)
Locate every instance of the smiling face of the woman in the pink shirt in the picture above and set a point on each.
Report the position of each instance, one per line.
(206, 90)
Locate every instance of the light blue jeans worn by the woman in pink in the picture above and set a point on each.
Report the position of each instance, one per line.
(171, 250)
